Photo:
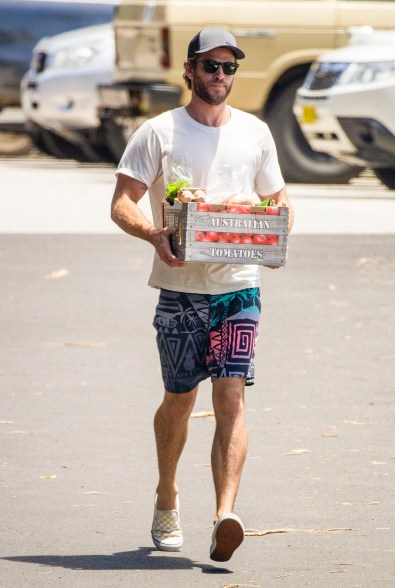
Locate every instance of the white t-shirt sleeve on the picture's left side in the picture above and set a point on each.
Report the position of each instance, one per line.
(142, 158)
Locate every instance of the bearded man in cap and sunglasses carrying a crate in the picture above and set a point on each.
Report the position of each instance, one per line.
(200, 305)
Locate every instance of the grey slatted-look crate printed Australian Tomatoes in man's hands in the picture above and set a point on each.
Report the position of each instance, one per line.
(229, 233)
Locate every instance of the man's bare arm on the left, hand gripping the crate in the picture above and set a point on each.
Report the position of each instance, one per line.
(129, 217)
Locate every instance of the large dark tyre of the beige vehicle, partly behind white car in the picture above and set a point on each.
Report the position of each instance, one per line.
(299, 163)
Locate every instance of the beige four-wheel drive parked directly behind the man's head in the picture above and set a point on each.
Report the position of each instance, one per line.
(280, 38)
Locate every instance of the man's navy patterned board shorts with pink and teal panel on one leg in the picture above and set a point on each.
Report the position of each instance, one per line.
(201, 336)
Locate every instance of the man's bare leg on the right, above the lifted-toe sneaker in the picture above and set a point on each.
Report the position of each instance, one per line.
(230, 441)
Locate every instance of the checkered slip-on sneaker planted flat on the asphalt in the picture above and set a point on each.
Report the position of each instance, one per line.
(166, 531)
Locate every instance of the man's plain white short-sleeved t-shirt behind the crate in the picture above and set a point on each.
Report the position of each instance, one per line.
(239, 157)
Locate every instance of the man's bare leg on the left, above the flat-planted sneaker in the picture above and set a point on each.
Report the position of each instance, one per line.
(171, 431)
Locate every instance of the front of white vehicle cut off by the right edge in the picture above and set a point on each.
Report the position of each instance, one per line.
(346, 106)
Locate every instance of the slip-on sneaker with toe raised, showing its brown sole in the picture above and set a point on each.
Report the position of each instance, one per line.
(228, 535)
